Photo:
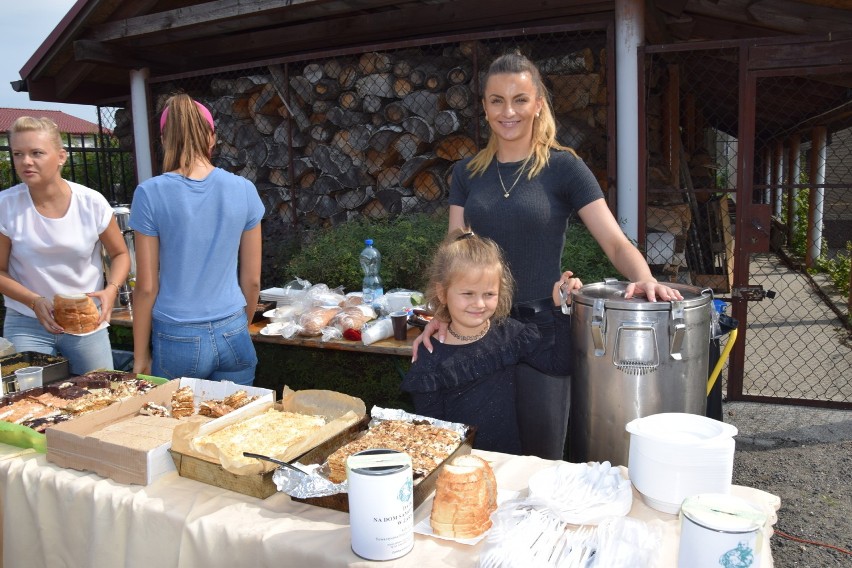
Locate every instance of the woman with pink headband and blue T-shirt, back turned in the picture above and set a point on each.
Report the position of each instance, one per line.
(198, 255)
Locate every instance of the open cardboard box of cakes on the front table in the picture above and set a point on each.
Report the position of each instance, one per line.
(68, 444)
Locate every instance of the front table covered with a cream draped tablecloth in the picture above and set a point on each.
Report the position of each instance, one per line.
(62, 517)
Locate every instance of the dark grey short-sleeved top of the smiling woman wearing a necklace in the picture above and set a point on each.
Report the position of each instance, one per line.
(530, 224)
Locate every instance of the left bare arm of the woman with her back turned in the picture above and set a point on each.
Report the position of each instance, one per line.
(144, 294)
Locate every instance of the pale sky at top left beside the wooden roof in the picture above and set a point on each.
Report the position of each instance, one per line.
(26, 24)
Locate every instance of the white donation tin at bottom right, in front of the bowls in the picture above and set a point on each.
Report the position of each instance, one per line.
(720, 530)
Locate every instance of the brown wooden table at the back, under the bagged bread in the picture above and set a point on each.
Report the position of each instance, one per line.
(122, 317)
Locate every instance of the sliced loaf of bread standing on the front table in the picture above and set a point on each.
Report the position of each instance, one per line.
(465, 497)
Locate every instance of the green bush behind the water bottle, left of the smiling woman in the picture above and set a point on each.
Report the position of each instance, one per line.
(407, 244)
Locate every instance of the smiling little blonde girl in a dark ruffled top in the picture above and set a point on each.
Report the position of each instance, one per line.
(470, 378)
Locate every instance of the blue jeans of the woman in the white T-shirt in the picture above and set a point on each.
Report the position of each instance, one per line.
(84, 353)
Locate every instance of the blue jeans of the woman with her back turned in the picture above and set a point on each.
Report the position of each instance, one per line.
(217, 350)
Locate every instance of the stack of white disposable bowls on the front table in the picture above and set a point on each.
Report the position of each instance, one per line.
(675, 455)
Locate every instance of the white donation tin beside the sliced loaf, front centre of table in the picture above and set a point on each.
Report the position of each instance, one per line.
(381, 503)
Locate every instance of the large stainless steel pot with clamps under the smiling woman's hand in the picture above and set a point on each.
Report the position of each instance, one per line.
(634, 358)
